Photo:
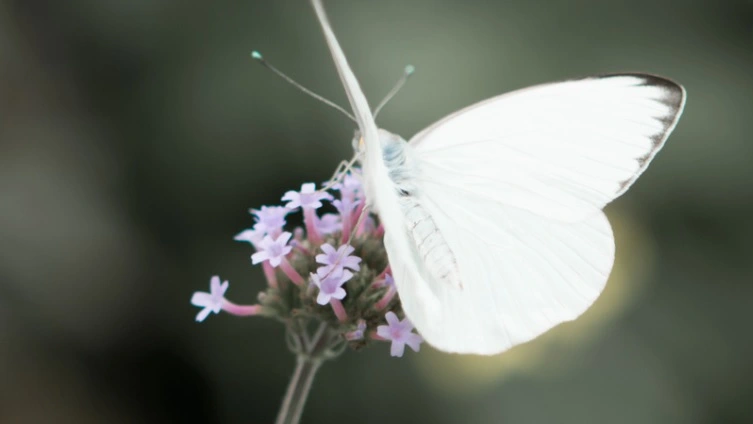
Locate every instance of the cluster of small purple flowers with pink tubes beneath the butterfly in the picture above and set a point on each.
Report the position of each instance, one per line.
(334, 271)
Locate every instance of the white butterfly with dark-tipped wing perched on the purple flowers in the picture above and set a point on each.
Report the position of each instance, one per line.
(492, 216)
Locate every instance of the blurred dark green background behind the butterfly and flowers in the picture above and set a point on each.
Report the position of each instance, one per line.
(135, 135)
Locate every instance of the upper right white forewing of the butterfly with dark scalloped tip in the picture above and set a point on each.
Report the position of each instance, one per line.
(559, 150)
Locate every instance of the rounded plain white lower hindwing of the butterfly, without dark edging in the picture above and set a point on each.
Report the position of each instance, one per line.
(522, 274)
